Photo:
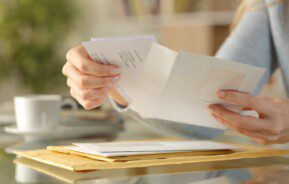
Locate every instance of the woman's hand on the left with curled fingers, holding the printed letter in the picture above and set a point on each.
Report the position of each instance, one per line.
(89, 81)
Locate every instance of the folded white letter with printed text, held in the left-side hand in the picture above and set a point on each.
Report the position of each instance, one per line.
(127, 52)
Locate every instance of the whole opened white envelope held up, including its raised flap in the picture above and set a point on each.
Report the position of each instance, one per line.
(185, 96)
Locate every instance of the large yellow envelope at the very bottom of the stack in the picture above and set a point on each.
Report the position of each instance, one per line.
(80, 163)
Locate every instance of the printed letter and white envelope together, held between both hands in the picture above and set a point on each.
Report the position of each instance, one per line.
(175, 86)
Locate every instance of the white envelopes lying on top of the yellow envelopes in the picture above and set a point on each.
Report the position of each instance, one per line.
(141, 148)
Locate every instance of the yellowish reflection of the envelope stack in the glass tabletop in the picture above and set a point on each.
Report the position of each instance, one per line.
(236, 171)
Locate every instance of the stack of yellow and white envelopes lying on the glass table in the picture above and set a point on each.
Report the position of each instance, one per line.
(99, 156)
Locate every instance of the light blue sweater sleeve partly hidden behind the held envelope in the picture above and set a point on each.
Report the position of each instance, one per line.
(249, 43)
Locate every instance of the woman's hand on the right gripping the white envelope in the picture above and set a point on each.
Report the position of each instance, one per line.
(271, 127)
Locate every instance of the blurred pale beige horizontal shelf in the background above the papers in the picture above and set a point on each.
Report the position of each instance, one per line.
(152, 23)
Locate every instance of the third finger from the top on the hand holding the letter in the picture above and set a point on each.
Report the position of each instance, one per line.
(88, 94)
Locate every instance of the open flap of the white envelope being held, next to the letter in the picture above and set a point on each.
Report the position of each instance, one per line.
(156, 72)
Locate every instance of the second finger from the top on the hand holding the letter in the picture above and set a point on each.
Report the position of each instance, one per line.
(89, 81)
